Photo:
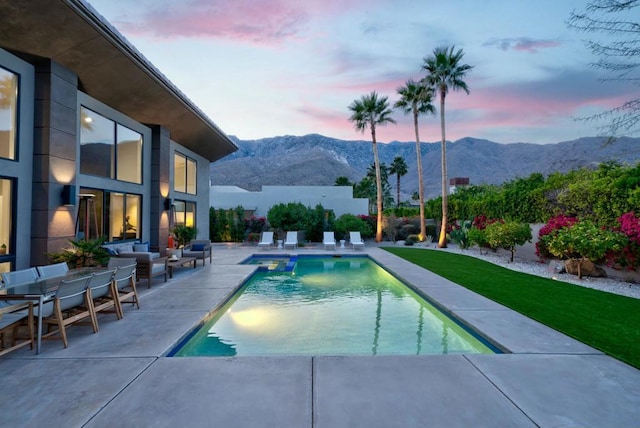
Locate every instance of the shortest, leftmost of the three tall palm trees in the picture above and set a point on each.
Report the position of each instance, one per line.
(367, 112)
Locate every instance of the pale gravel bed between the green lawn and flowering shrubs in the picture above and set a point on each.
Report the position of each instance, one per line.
(609, 285)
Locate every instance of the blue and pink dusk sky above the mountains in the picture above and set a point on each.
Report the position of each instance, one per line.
(266, 68)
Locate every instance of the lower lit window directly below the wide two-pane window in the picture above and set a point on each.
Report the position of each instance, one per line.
(113, 215)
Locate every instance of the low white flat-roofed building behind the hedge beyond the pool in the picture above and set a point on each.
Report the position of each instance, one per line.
(337, 198)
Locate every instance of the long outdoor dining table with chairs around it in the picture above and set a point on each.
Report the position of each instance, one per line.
(43, 290)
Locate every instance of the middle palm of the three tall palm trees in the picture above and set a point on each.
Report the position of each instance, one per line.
(417, 99)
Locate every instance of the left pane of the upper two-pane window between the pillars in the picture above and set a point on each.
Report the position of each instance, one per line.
(97, 148)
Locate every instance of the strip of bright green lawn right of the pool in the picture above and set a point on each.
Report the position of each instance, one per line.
(605, 321)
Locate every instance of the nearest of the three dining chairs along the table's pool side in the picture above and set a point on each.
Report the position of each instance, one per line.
(70, 304)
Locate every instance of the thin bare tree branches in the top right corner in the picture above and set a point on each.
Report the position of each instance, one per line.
(618, 56)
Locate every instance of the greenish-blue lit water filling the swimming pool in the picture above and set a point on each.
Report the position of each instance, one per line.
(329, 306)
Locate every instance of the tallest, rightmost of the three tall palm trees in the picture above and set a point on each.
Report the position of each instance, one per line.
(445, 71)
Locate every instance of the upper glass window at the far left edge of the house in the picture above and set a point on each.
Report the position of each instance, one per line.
(8, 113)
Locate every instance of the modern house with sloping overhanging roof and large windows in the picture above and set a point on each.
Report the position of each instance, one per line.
(94, 140)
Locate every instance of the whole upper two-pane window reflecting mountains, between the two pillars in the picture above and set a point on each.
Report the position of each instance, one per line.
(109, 149)
